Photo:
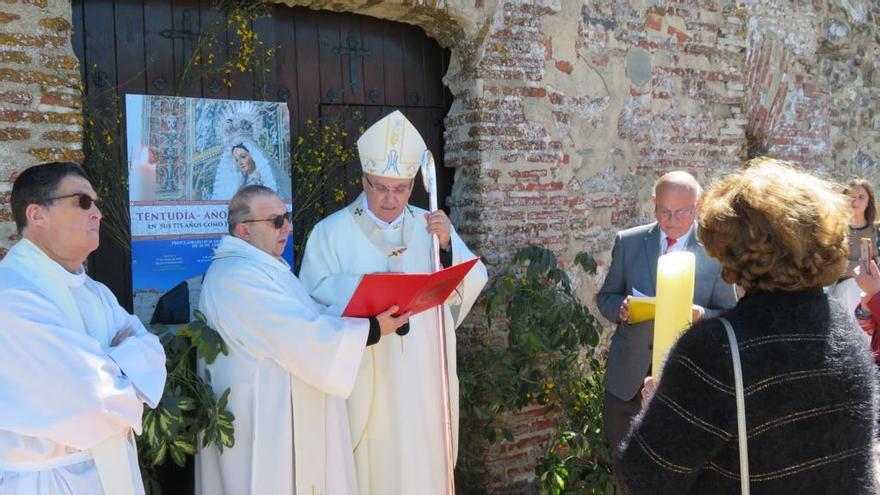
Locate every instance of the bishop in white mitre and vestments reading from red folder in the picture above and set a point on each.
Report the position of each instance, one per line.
(395, 410)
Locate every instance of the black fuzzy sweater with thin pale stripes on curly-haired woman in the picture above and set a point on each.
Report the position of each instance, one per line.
(811, 395)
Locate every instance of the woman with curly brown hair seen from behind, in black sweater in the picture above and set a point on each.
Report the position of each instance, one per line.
(810, 386)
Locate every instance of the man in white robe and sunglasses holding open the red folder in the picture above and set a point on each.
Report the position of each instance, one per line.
(289, 366)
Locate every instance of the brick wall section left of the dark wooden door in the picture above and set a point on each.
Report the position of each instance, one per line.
(39, 94)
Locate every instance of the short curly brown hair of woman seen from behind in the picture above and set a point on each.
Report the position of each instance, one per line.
(774, 227)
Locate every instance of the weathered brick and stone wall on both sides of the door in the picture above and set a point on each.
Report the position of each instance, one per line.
(564, 114)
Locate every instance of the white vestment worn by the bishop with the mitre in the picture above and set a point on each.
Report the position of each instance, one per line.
(395, 409)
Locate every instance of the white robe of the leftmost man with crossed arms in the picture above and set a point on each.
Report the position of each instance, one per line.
(63, 389)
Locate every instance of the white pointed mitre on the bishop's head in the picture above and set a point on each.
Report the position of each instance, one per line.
(392, 147)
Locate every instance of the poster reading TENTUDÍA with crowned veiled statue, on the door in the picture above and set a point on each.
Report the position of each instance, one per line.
(186, 159)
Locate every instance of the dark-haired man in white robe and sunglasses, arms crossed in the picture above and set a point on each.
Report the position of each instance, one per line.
(75, 367)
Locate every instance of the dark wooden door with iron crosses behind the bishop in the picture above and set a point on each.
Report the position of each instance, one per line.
(324, 64)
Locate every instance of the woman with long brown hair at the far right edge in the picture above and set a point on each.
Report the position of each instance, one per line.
(861, 225)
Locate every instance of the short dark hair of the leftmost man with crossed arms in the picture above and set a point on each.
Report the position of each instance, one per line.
(36, 184)
